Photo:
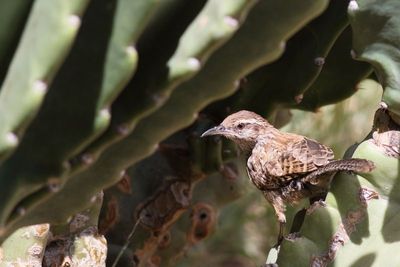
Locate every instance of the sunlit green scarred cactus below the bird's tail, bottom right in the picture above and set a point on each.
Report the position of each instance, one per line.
(356, 227)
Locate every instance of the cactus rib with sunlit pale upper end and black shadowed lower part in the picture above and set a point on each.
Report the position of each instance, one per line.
(216, 22)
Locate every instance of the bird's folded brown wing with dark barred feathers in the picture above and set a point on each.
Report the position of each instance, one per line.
(295, 156)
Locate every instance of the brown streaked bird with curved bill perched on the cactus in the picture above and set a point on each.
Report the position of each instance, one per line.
(285, 167)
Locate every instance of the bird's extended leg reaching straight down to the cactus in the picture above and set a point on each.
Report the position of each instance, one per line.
(274, 197)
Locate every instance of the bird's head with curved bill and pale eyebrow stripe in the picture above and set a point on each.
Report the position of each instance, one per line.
(243, 127)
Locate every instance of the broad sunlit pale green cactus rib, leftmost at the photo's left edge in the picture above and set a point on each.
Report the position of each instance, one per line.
(34, 65)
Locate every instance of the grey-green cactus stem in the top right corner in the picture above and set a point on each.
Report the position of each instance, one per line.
(379, 44)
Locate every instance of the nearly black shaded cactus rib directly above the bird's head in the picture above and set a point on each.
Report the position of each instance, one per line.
(285, 81)
